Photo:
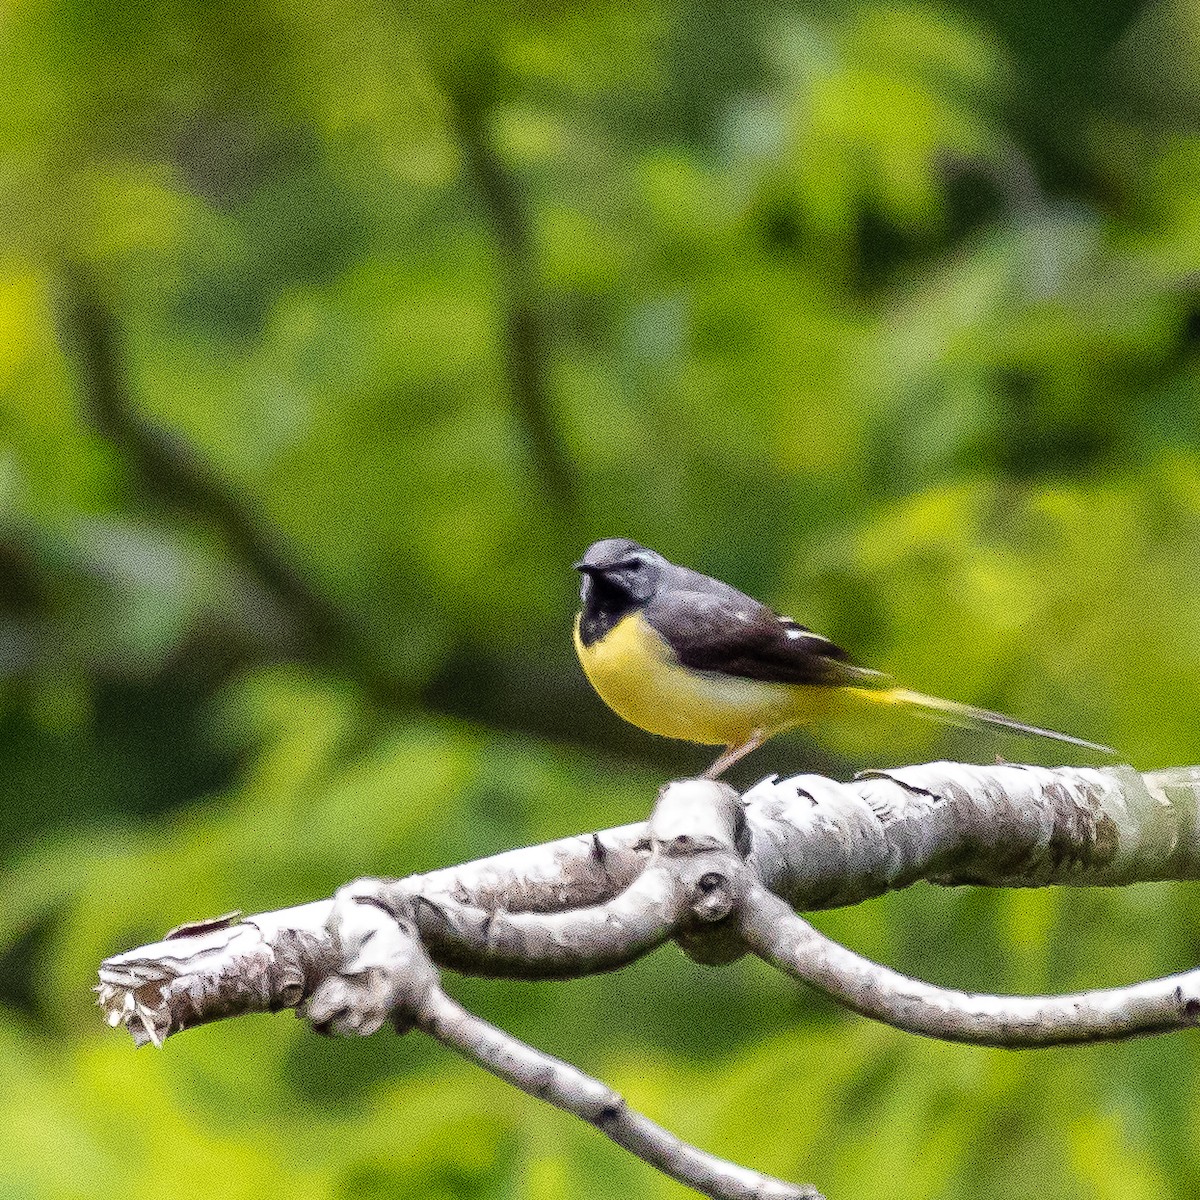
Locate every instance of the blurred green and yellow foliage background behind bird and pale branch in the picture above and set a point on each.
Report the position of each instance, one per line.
(332, 334)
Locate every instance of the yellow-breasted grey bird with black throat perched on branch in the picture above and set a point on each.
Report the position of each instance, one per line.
(685, 656)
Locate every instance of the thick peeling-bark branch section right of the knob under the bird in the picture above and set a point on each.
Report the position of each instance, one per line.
(821, 844)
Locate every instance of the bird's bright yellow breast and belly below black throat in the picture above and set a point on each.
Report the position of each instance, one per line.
(639, 677)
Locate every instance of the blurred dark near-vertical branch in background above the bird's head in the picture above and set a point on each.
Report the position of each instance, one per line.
(526, 339)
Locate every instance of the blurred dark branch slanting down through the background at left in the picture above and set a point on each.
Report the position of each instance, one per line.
(178, 477)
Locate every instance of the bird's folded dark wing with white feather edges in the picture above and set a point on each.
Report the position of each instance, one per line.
(736, 635)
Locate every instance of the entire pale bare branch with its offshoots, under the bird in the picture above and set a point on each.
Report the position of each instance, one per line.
(721, 875)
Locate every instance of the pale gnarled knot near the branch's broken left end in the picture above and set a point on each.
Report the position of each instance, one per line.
(385, 971)
